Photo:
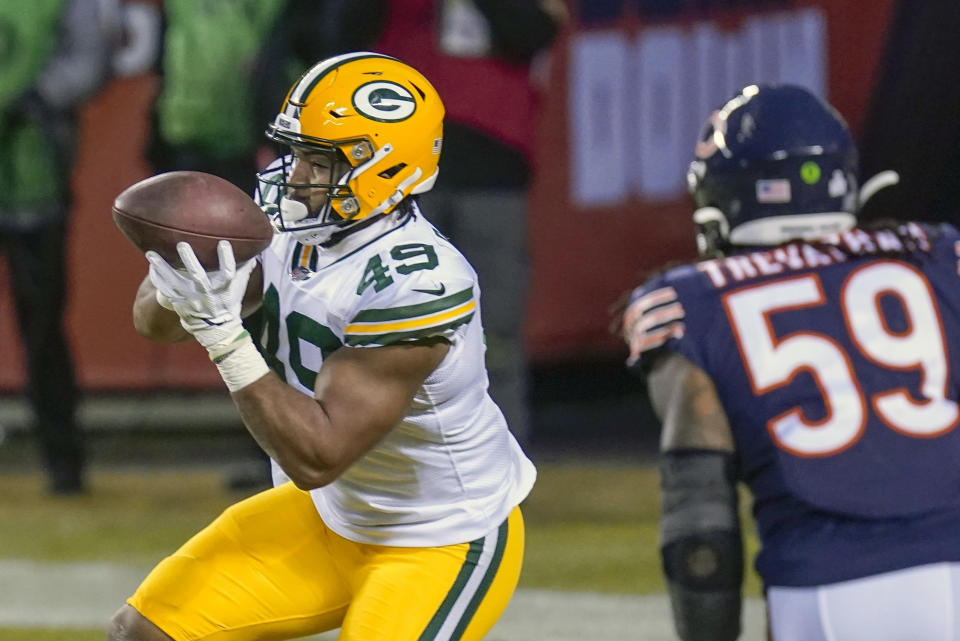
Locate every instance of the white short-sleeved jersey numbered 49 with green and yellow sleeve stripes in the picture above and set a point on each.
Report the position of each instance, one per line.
(450, 470)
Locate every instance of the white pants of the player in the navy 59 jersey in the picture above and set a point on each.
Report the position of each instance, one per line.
(915, 604)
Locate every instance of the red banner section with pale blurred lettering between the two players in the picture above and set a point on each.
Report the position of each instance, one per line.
(625, 104)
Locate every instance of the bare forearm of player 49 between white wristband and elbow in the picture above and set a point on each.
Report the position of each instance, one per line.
(293, 430)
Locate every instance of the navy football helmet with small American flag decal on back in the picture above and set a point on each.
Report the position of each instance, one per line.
(773, 164)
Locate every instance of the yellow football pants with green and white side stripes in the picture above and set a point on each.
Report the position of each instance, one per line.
(269, 568)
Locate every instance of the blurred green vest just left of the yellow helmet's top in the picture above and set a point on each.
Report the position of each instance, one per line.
(211, 49)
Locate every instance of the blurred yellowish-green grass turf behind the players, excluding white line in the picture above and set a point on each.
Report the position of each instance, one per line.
(591, 526)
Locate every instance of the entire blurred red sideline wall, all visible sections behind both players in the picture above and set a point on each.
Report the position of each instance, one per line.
(622, 106)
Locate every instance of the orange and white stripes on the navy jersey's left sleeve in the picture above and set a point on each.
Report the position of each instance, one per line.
(651, 319)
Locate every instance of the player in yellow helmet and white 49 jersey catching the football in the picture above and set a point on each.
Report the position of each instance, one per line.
(394, 513)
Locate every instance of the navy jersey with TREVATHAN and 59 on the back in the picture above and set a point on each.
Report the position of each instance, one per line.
(835, 366)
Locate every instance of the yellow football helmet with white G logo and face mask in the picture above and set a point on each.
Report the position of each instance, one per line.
(378, 121)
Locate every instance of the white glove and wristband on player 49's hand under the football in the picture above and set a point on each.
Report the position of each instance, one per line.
(209, 304)
